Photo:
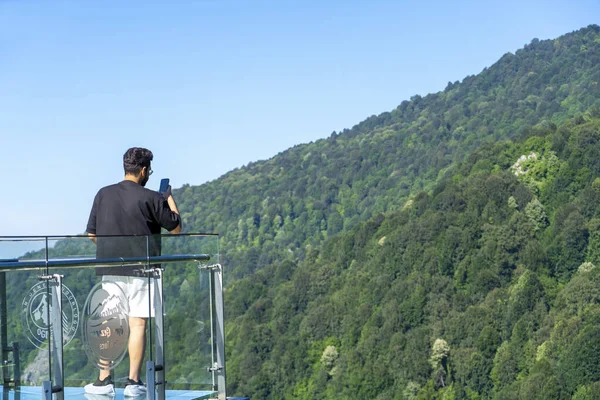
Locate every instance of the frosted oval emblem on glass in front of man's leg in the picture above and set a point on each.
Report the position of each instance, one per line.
(106, 326)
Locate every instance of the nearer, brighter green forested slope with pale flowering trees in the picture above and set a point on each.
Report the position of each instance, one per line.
(485, 288)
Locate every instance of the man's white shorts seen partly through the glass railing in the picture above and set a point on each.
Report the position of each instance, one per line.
(136, 291)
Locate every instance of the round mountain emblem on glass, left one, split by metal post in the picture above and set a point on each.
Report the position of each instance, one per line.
(37, 306)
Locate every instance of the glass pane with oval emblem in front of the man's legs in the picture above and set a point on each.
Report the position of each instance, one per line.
(95, 307)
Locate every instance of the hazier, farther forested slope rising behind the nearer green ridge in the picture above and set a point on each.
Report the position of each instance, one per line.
(271, 210)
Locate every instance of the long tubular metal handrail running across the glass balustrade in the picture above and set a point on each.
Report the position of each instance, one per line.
(28, 265)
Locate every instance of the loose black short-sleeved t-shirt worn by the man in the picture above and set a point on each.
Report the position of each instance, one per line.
(127, 208)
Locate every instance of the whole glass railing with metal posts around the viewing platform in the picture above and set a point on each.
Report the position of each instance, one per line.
(102, 304)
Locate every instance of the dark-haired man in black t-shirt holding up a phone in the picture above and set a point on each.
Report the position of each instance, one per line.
(127, 208)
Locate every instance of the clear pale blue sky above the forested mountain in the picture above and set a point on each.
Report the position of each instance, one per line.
(209, 86)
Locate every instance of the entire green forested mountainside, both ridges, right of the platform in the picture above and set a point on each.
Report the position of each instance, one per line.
(404, 258)
